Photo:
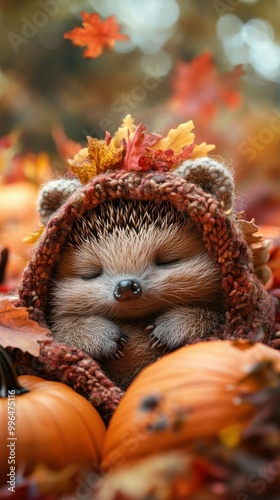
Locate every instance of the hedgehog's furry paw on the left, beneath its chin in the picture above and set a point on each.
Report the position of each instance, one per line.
(97, 336)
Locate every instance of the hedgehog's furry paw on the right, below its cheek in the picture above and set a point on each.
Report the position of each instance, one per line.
(183, 325)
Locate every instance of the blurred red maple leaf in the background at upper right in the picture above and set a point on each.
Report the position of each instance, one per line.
(198, 89)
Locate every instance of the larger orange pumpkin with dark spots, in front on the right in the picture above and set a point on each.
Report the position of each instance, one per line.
(191, 394)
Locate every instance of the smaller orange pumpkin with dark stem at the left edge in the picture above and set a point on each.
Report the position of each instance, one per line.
(46, 423)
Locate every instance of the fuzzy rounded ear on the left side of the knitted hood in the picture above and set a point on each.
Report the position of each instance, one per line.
(53, 195)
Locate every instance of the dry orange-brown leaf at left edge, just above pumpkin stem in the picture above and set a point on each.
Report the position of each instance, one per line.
(17, 330)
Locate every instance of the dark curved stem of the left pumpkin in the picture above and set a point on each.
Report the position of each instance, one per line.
(8, 376)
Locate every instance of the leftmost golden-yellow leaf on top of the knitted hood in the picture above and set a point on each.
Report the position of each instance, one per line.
(97, 158)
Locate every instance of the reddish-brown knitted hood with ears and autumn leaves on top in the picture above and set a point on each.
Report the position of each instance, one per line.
(134, 165)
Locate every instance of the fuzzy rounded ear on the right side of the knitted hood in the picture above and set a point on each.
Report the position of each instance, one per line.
(211, 176)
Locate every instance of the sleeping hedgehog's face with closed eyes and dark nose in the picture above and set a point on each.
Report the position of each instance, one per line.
(135, 269)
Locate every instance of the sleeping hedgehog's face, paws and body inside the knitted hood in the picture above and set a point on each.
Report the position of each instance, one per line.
(134, 281)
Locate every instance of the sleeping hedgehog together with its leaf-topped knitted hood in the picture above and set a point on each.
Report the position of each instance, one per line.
(142, 253)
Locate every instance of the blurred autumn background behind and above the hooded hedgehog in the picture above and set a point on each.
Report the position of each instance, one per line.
(181, 61)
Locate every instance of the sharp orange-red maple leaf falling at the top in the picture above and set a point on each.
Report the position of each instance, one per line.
(95, 34)
